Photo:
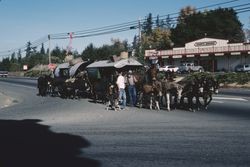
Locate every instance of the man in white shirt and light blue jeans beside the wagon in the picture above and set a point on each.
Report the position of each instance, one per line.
(121, 88)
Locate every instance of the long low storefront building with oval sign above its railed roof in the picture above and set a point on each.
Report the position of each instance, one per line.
(213, 54)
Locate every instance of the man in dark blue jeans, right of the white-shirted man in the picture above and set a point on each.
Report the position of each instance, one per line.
(131, 88)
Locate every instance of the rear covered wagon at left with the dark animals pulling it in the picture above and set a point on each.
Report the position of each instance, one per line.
(67, 80)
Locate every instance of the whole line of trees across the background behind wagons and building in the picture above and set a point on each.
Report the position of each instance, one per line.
(156, 33)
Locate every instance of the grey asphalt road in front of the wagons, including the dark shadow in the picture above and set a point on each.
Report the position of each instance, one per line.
(50, 131)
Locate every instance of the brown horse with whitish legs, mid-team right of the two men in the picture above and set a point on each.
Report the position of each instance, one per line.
(171, 89)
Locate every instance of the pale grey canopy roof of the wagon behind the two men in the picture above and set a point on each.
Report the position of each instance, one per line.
(118, 64)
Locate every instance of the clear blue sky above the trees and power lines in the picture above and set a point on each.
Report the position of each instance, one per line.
(29, 20)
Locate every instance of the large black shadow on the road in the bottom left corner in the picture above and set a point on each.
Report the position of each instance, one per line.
(27, 143)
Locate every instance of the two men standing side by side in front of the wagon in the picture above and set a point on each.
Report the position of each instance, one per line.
(128, 81)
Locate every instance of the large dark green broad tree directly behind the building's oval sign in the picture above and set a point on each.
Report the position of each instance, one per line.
(214, 23)
